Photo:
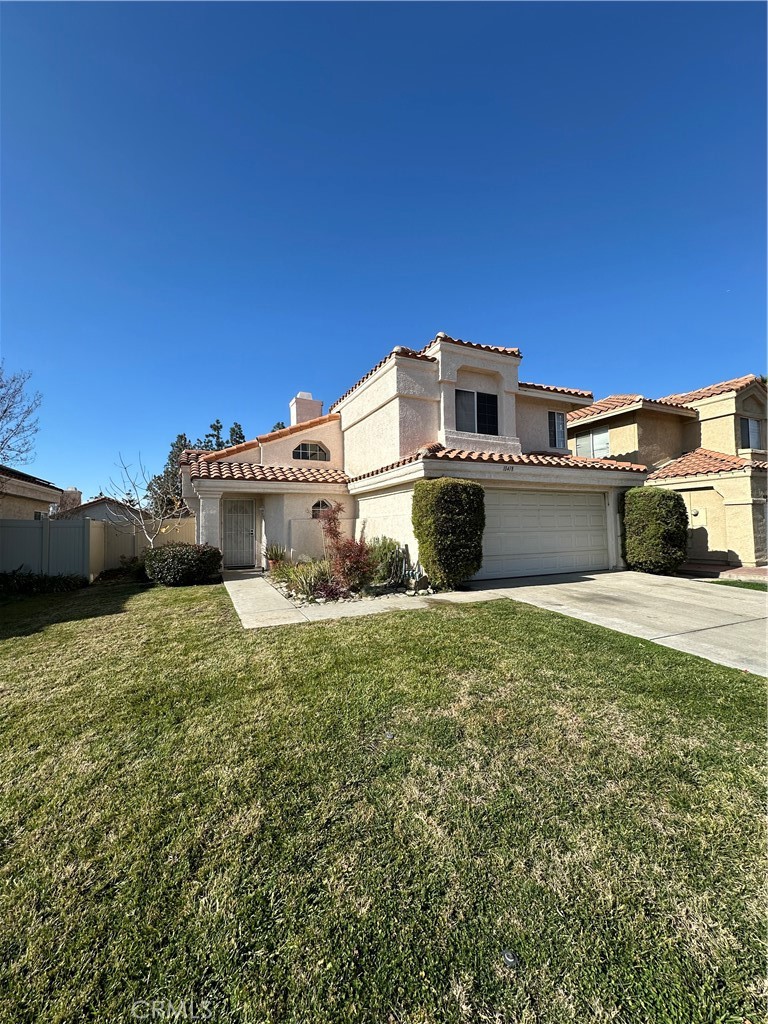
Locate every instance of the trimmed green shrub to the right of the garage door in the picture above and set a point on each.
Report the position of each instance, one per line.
(656, 526)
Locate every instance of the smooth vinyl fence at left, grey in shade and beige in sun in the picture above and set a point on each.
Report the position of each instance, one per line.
(77, 547)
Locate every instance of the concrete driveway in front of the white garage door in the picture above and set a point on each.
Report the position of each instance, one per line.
(727, 625)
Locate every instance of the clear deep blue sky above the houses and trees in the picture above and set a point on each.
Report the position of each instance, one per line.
(207, 208)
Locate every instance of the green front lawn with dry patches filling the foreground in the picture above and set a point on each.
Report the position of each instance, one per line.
(351, 822)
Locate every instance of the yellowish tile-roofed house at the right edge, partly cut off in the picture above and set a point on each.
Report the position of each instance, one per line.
(710, 445)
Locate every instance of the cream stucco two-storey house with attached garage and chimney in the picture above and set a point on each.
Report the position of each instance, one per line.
(453, 409)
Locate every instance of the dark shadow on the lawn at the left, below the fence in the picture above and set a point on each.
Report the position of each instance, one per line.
(24, 616)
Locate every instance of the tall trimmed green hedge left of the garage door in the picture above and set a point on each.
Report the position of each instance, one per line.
(449, 519)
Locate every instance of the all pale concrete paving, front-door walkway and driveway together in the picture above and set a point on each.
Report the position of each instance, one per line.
(727, 625)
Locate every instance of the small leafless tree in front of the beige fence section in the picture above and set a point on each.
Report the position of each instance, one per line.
(127, 503)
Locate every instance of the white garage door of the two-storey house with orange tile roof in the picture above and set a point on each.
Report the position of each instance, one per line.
(533, 533)
